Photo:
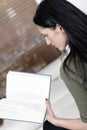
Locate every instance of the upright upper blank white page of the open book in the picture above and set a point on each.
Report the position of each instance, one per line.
(28, 86)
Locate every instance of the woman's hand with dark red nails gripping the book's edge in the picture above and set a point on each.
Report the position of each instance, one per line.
(50, 116)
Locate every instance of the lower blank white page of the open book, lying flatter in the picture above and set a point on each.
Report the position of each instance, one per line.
(15, 111)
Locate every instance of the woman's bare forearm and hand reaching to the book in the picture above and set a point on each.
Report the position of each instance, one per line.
(72, 124)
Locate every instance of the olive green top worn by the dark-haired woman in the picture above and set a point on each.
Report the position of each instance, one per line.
(77, 88)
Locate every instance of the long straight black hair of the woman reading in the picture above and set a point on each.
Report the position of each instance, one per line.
(74, 22)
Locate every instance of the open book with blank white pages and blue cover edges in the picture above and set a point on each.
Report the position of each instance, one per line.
(25, 96)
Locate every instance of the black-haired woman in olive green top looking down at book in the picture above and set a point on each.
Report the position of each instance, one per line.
(62, 24)
